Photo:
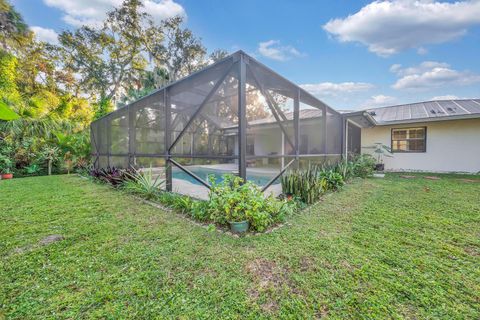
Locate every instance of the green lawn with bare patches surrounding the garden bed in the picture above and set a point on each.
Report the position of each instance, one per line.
(380, 248)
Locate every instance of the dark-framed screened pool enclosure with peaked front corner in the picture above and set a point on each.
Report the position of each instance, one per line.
(236, 116)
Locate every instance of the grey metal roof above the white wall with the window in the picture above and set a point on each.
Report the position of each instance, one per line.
(426, 111)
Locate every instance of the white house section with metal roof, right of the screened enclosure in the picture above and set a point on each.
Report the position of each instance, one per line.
(440, 136)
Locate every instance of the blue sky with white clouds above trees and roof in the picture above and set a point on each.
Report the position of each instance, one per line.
(351, 54)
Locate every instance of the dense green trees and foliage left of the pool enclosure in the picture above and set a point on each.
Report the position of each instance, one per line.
(49, 94)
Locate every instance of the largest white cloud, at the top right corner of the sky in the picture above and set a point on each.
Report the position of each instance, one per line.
(388, 27)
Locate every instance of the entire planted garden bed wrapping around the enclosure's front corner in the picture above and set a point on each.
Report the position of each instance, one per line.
(237, 205)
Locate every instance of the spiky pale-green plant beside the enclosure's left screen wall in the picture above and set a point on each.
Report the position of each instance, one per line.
(142, 183)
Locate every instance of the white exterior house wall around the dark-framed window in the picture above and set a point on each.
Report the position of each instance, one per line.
(452, 146)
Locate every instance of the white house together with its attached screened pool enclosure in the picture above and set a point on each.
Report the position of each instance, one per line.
(239, 116)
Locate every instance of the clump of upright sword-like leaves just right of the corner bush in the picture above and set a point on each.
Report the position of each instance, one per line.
(306, 184)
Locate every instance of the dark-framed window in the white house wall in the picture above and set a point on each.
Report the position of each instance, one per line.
(409, 140)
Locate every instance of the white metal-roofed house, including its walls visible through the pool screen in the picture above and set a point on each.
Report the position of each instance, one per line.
(439, 136)
